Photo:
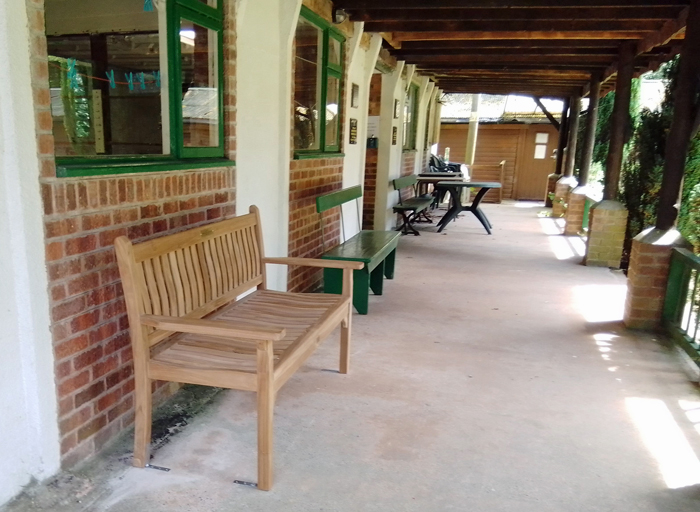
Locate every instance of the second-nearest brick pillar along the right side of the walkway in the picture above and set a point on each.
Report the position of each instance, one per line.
(606, 234)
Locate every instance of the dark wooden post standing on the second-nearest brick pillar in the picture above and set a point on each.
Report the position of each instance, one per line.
(620, 119)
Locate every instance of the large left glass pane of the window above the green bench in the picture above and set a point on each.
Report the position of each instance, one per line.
(307, 85)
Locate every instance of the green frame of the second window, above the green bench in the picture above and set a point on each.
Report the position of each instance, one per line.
(329, 71)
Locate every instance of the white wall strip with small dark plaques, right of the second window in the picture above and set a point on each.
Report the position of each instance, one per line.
(361, 64)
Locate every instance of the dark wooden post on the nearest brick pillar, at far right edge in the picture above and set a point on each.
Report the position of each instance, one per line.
(684, 112)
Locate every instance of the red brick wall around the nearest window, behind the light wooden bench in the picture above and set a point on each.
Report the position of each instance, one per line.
(82, 216)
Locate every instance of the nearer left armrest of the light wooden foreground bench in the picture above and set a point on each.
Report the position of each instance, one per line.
(212, 328)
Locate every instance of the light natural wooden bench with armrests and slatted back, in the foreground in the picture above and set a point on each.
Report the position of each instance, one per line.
(188, 324)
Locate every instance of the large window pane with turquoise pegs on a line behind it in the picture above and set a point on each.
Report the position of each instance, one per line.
(106, 94)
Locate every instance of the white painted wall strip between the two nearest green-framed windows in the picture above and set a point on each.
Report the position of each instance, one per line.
(263, 119)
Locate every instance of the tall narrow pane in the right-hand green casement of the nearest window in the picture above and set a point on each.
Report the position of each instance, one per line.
(200, 83)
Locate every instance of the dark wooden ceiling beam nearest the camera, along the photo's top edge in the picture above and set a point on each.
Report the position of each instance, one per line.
(453, 4)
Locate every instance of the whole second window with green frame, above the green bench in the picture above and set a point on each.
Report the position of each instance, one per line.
(318, 83)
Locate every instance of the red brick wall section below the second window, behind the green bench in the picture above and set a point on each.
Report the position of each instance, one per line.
(308, 180)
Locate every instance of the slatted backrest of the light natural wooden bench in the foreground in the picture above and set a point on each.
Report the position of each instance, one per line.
(194, 272)
